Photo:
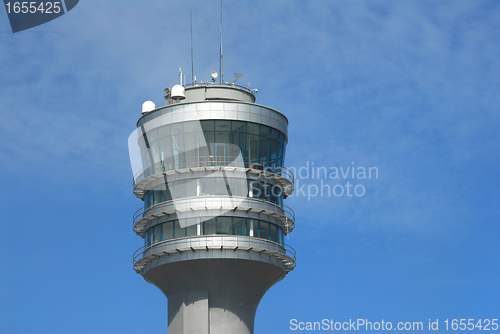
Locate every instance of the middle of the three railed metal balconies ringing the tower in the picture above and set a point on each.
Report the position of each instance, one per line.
(285, 213)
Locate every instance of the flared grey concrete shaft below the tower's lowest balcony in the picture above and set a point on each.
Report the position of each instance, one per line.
(215, 296)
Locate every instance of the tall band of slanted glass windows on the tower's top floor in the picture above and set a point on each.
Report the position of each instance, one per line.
(205, 142)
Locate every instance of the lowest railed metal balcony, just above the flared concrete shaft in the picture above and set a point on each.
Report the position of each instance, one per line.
(285, 253)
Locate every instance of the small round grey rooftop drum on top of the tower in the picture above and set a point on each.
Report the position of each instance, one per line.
(209, 91)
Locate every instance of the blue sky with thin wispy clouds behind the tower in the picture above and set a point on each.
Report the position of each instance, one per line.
(409, 87)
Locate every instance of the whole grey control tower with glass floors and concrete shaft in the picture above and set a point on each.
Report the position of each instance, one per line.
(209, 166)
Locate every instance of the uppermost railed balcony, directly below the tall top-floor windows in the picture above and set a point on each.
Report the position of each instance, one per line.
(268, 168)
